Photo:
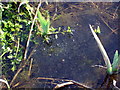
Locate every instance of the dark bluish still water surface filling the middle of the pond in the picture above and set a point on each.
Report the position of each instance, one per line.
(71, 56)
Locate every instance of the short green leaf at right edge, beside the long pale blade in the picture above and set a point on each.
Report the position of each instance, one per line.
(116, 61)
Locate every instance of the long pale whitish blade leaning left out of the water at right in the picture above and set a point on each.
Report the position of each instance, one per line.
(103, 52)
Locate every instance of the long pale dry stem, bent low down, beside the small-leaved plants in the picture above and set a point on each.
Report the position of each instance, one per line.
(27, 46)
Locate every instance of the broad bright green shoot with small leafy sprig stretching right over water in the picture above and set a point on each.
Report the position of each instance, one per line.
(45, 28)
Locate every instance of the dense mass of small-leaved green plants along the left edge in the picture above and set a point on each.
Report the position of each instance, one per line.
(12, 36)
